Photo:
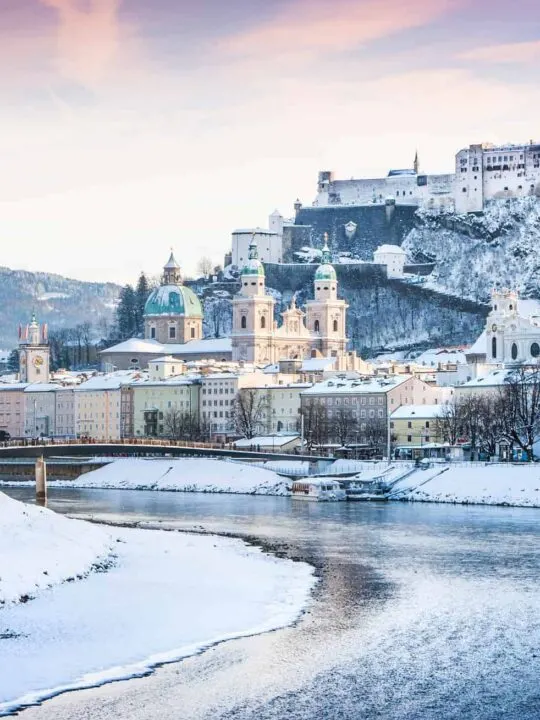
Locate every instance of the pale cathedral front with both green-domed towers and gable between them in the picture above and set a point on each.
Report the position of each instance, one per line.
(319, 332)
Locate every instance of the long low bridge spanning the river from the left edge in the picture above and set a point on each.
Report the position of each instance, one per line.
(143, 448)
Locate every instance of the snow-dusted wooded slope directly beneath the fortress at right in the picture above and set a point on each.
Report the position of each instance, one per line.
(475, 252)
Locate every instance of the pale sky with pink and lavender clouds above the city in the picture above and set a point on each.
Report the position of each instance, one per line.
(130, 127)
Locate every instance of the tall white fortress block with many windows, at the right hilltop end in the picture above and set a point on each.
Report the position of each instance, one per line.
(485, 172)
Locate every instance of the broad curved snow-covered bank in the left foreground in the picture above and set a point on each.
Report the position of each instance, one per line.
(166, 596)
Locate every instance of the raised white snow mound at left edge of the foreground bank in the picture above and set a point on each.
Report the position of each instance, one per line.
(39, 549)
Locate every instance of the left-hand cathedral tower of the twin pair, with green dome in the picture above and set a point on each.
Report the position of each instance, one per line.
(253, 314)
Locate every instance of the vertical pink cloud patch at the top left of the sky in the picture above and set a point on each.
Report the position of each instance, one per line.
(88, 40)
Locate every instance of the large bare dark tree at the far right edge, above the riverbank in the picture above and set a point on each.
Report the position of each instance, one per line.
(520, 408)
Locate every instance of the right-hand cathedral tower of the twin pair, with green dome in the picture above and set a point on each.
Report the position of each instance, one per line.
(326, 314)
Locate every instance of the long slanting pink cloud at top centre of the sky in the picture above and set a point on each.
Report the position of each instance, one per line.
(314, 26)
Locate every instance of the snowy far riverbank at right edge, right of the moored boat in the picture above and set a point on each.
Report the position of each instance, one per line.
(508, 484)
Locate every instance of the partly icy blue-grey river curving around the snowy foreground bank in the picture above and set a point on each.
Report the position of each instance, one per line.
(422, 611)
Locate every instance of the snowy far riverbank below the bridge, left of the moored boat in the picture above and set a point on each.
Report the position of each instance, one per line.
(182, 474)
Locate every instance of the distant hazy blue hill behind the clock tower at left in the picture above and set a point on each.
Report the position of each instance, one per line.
(59, 301)
